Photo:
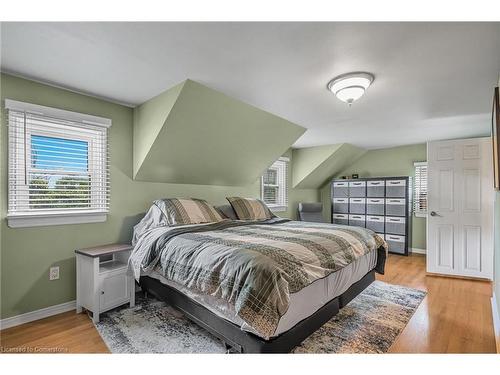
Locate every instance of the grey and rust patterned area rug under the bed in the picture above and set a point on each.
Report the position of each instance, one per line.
(368, 324)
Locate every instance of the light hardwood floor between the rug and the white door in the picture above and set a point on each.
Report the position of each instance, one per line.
(454, 317)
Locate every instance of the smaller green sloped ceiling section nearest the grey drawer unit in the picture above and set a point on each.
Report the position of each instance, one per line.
(313, 166)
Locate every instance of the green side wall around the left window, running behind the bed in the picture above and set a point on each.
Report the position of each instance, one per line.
(27, 253)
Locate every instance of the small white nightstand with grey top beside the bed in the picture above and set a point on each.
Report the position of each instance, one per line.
(102, 282)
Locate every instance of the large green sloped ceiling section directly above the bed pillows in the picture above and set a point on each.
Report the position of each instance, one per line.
(192, 134)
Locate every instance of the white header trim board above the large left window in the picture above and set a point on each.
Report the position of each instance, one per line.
(57, 113)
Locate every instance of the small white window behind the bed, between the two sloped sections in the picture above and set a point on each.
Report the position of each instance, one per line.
(274, 190)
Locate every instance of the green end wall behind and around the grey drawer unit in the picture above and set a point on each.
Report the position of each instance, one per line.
(396, 161)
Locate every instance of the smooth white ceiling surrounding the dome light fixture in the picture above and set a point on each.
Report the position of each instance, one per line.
(432, 80)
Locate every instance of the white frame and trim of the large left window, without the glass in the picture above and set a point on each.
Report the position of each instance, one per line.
(26, 217)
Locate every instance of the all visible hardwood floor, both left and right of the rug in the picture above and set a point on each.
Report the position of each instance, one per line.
(455, 317)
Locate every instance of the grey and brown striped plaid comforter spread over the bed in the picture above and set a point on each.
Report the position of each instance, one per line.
(254, 266)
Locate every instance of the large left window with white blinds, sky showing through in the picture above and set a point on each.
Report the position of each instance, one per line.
(58, 166)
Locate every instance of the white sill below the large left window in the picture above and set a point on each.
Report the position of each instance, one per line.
(27, 220)
